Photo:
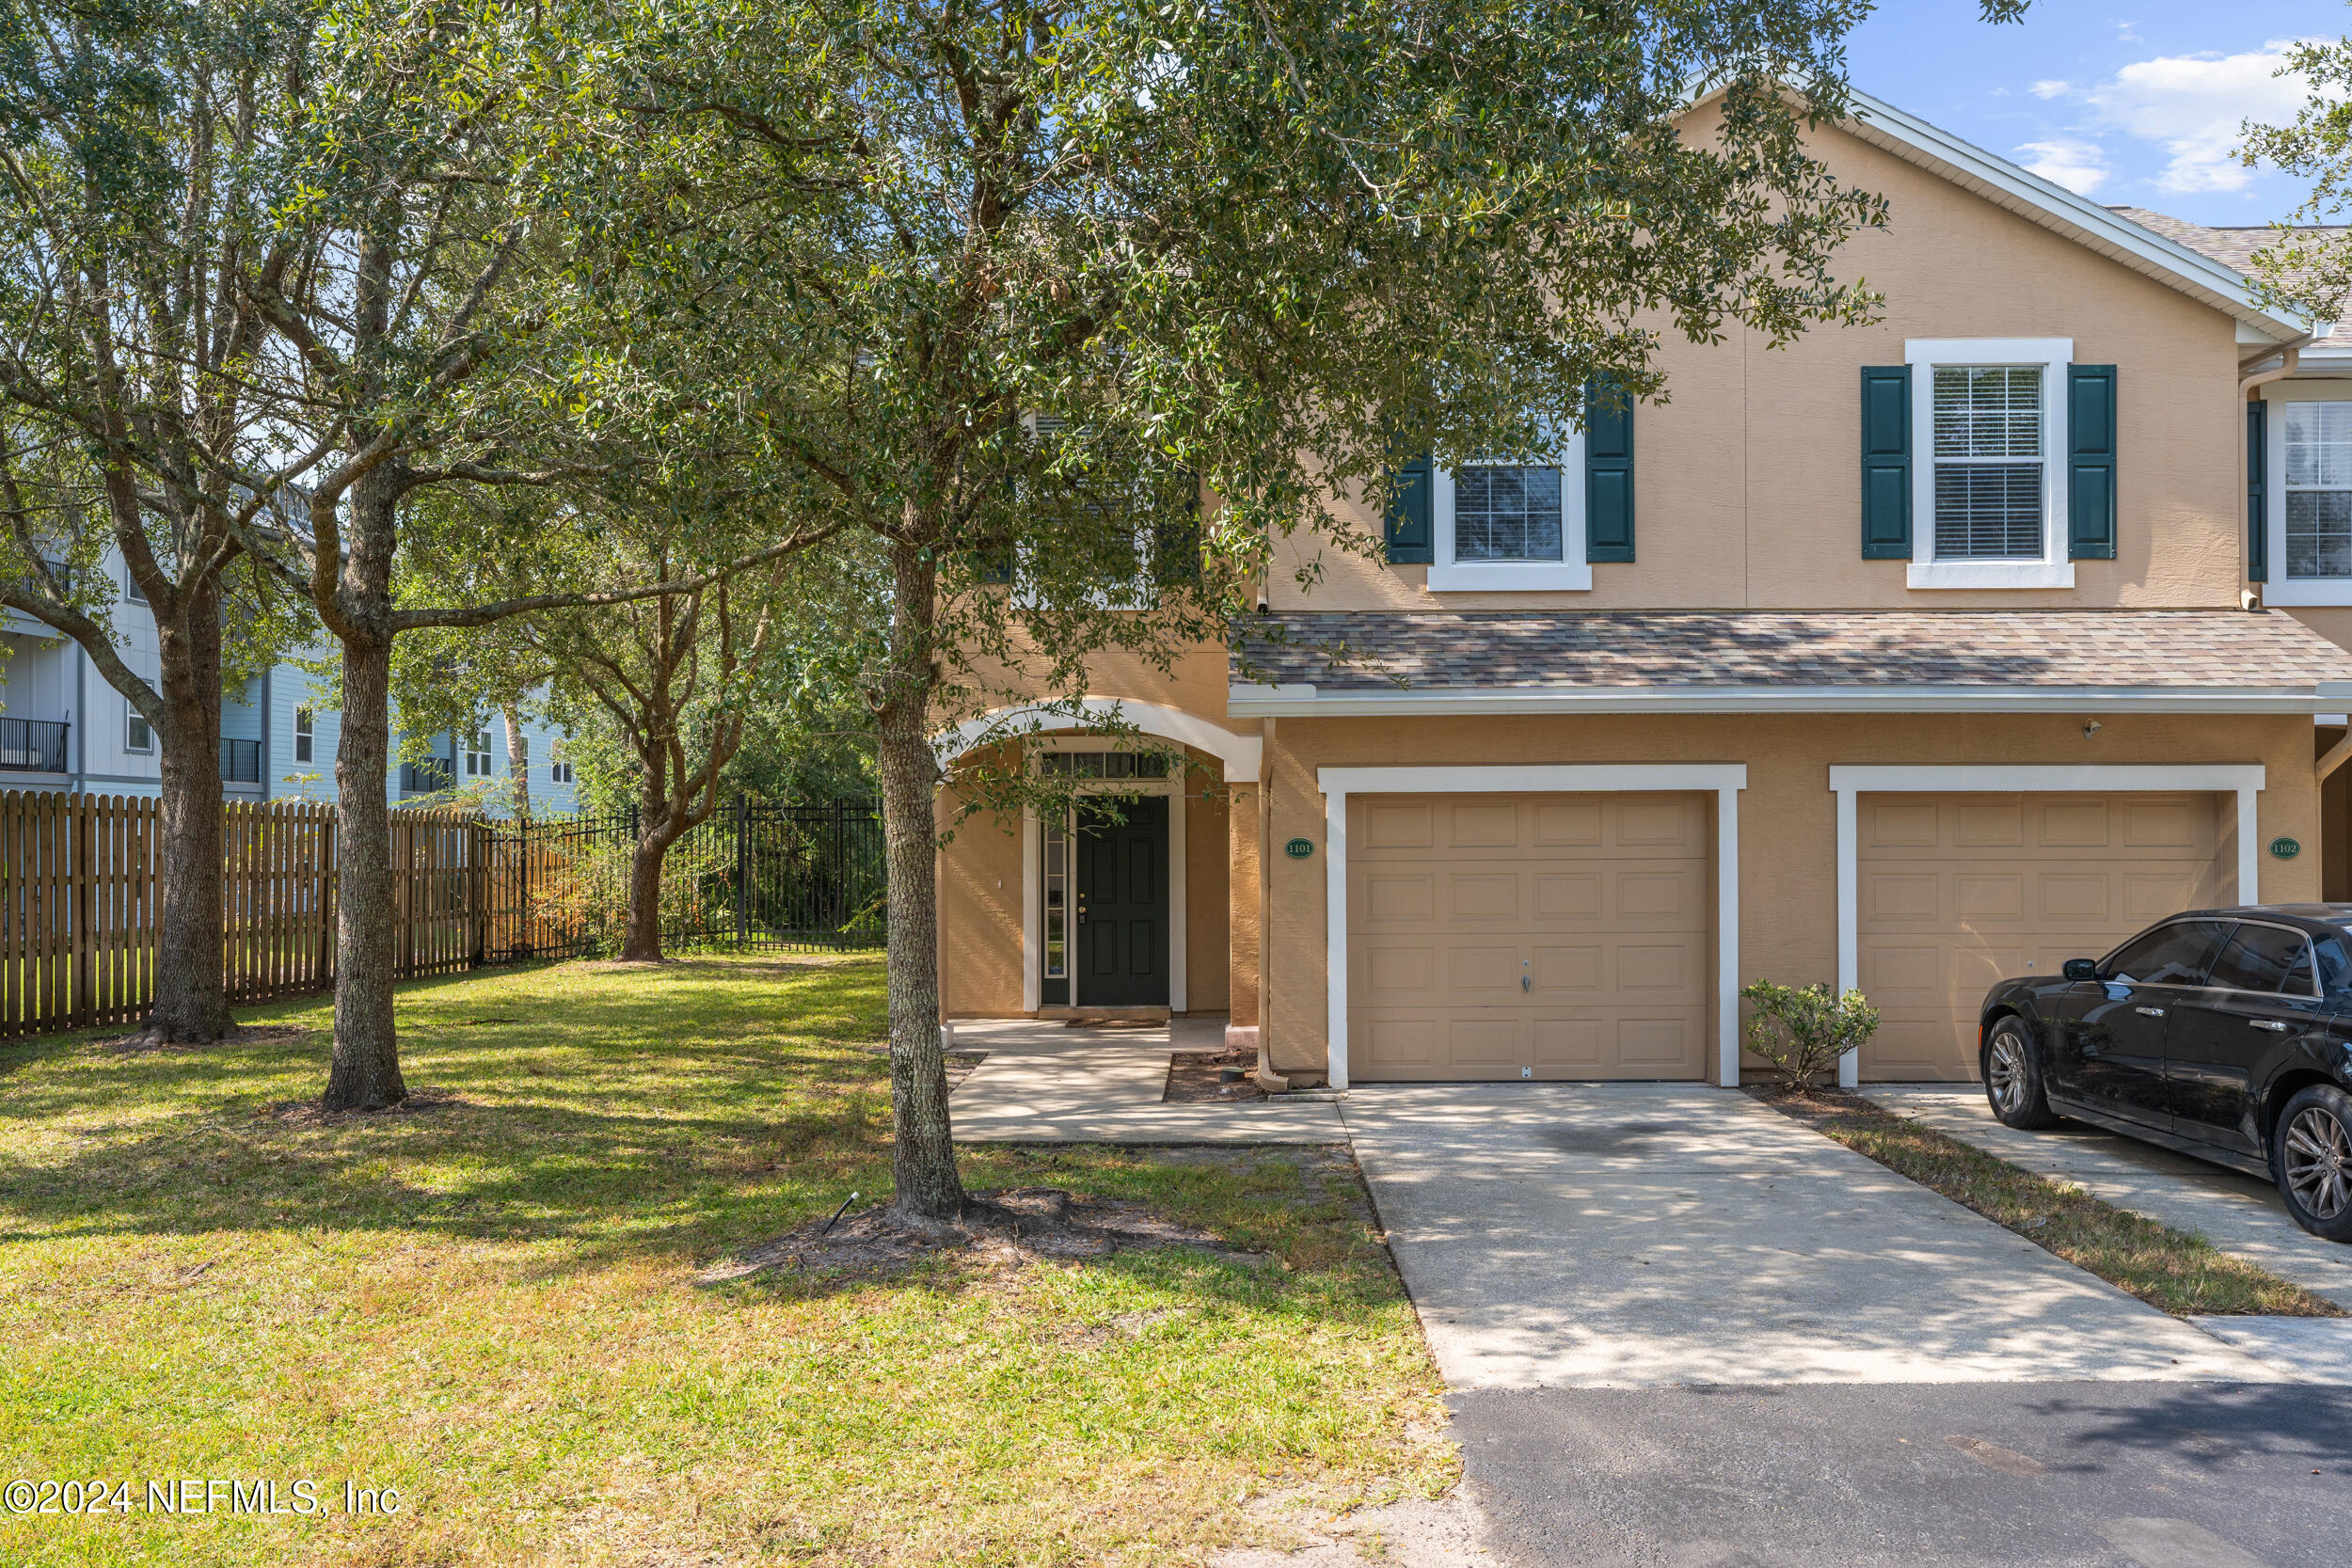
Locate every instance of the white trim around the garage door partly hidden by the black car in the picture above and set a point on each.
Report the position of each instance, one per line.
(1850, 782)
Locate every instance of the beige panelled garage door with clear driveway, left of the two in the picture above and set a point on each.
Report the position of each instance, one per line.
(1551, 937)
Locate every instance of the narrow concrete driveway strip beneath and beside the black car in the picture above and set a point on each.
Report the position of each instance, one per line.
(2238, 1214)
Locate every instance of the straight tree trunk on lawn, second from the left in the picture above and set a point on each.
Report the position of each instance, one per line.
(366, 1073)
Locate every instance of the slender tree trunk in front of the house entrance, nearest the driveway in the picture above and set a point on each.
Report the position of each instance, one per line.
(923, 1158)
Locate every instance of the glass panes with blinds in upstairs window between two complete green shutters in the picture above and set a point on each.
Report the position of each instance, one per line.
(1989, 462)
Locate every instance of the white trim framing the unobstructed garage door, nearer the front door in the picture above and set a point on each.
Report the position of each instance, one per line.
(1725, 779)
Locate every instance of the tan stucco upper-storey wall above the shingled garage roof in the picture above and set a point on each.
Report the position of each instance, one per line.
(1749, 481)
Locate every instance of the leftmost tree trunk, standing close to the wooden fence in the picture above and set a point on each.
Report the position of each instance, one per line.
(192, 998)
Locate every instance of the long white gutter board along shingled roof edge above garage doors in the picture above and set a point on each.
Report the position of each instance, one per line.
(1304, 702)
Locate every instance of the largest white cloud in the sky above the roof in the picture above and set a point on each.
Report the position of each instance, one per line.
(2193, 107)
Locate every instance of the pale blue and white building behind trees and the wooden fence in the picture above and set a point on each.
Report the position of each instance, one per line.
(65, 728)
